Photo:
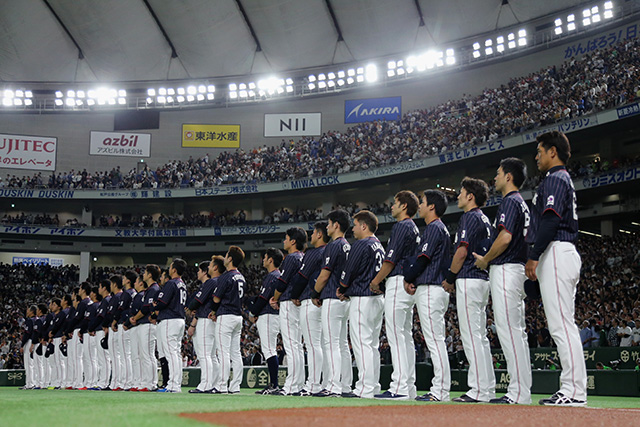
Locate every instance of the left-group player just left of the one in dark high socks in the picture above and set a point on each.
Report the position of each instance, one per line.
(147, 330)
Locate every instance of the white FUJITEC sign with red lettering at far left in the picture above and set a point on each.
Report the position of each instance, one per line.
(28, 152)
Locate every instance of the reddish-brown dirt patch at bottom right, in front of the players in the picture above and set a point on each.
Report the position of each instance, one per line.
(449, 415)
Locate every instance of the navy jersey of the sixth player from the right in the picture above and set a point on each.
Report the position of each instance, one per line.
(363, 263)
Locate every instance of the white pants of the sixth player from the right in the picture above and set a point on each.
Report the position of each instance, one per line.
(365, 322)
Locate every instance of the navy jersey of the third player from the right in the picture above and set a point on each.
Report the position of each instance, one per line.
(474, 232)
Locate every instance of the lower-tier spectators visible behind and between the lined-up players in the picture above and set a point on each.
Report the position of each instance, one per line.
(608, 300)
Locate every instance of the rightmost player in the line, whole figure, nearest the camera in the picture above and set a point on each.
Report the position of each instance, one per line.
(554, 230)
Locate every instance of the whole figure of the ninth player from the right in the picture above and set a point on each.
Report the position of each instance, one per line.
(294, 242)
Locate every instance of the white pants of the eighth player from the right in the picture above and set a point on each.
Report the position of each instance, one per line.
(311, 325)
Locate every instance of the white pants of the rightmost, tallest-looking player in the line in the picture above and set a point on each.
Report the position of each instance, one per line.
(559, 272)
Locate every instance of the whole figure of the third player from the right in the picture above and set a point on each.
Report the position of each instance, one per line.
(472, 290)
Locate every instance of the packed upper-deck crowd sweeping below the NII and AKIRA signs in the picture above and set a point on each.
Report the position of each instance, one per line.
(599, 80)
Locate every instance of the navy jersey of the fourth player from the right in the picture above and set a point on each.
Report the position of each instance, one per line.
(436, 246)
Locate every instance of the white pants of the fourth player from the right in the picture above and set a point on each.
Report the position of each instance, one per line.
(432, 302)
